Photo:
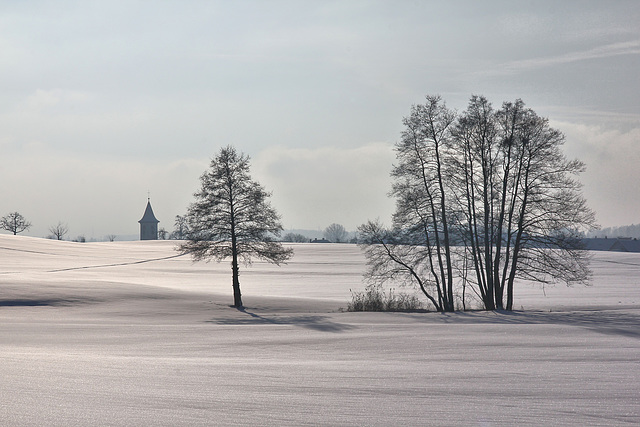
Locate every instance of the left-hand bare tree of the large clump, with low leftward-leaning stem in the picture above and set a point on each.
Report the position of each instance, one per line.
(419, 249)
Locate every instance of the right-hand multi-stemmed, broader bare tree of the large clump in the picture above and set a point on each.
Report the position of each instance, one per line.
(525, 213)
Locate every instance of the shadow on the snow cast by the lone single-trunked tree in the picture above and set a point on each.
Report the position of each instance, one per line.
(317, 323)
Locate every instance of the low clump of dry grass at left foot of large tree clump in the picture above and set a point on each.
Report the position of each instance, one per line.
(374, 298)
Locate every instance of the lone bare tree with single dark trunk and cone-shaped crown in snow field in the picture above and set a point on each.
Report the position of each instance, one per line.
(232, 218)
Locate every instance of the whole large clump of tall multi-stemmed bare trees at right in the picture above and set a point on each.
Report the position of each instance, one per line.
(484, 198)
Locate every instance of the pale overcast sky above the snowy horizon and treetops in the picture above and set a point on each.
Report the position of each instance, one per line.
(105, 101)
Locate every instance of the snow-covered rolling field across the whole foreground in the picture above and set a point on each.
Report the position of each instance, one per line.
(128, 333)
